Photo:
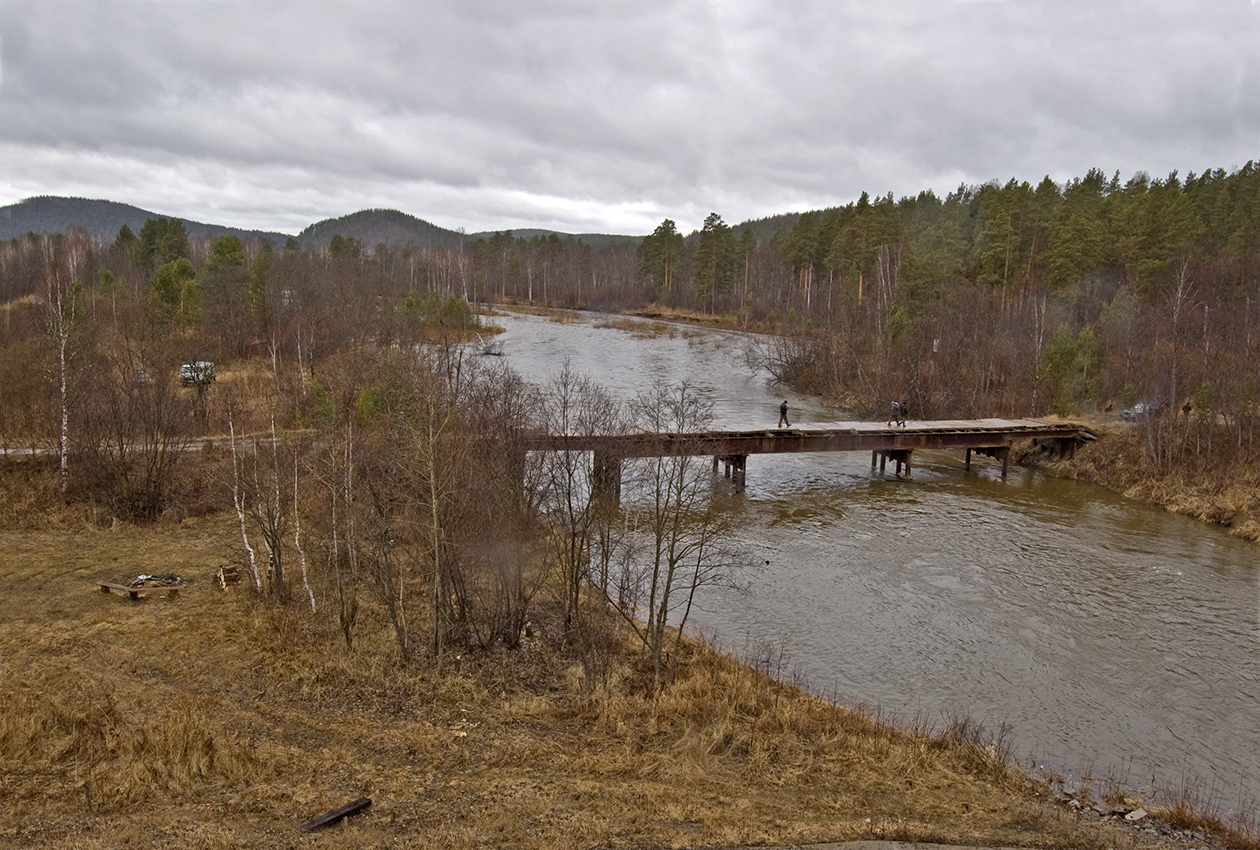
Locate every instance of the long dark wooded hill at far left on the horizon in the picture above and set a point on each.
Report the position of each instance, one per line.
(104, 218)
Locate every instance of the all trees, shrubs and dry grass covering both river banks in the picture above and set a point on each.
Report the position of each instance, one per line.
(493, 663)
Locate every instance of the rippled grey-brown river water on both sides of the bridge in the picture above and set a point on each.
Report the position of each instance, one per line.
(1114, 640)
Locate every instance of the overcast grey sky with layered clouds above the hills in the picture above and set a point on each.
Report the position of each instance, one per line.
(592, 116)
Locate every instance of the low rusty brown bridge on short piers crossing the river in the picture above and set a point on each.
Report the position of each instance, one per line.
(896, 444)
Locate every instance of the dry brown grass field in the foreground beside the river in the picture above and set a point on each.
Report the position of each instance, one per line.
(219, 720)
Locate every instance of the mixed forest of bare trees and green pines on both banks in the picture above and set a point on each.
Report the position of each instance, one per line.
(367, 456)
